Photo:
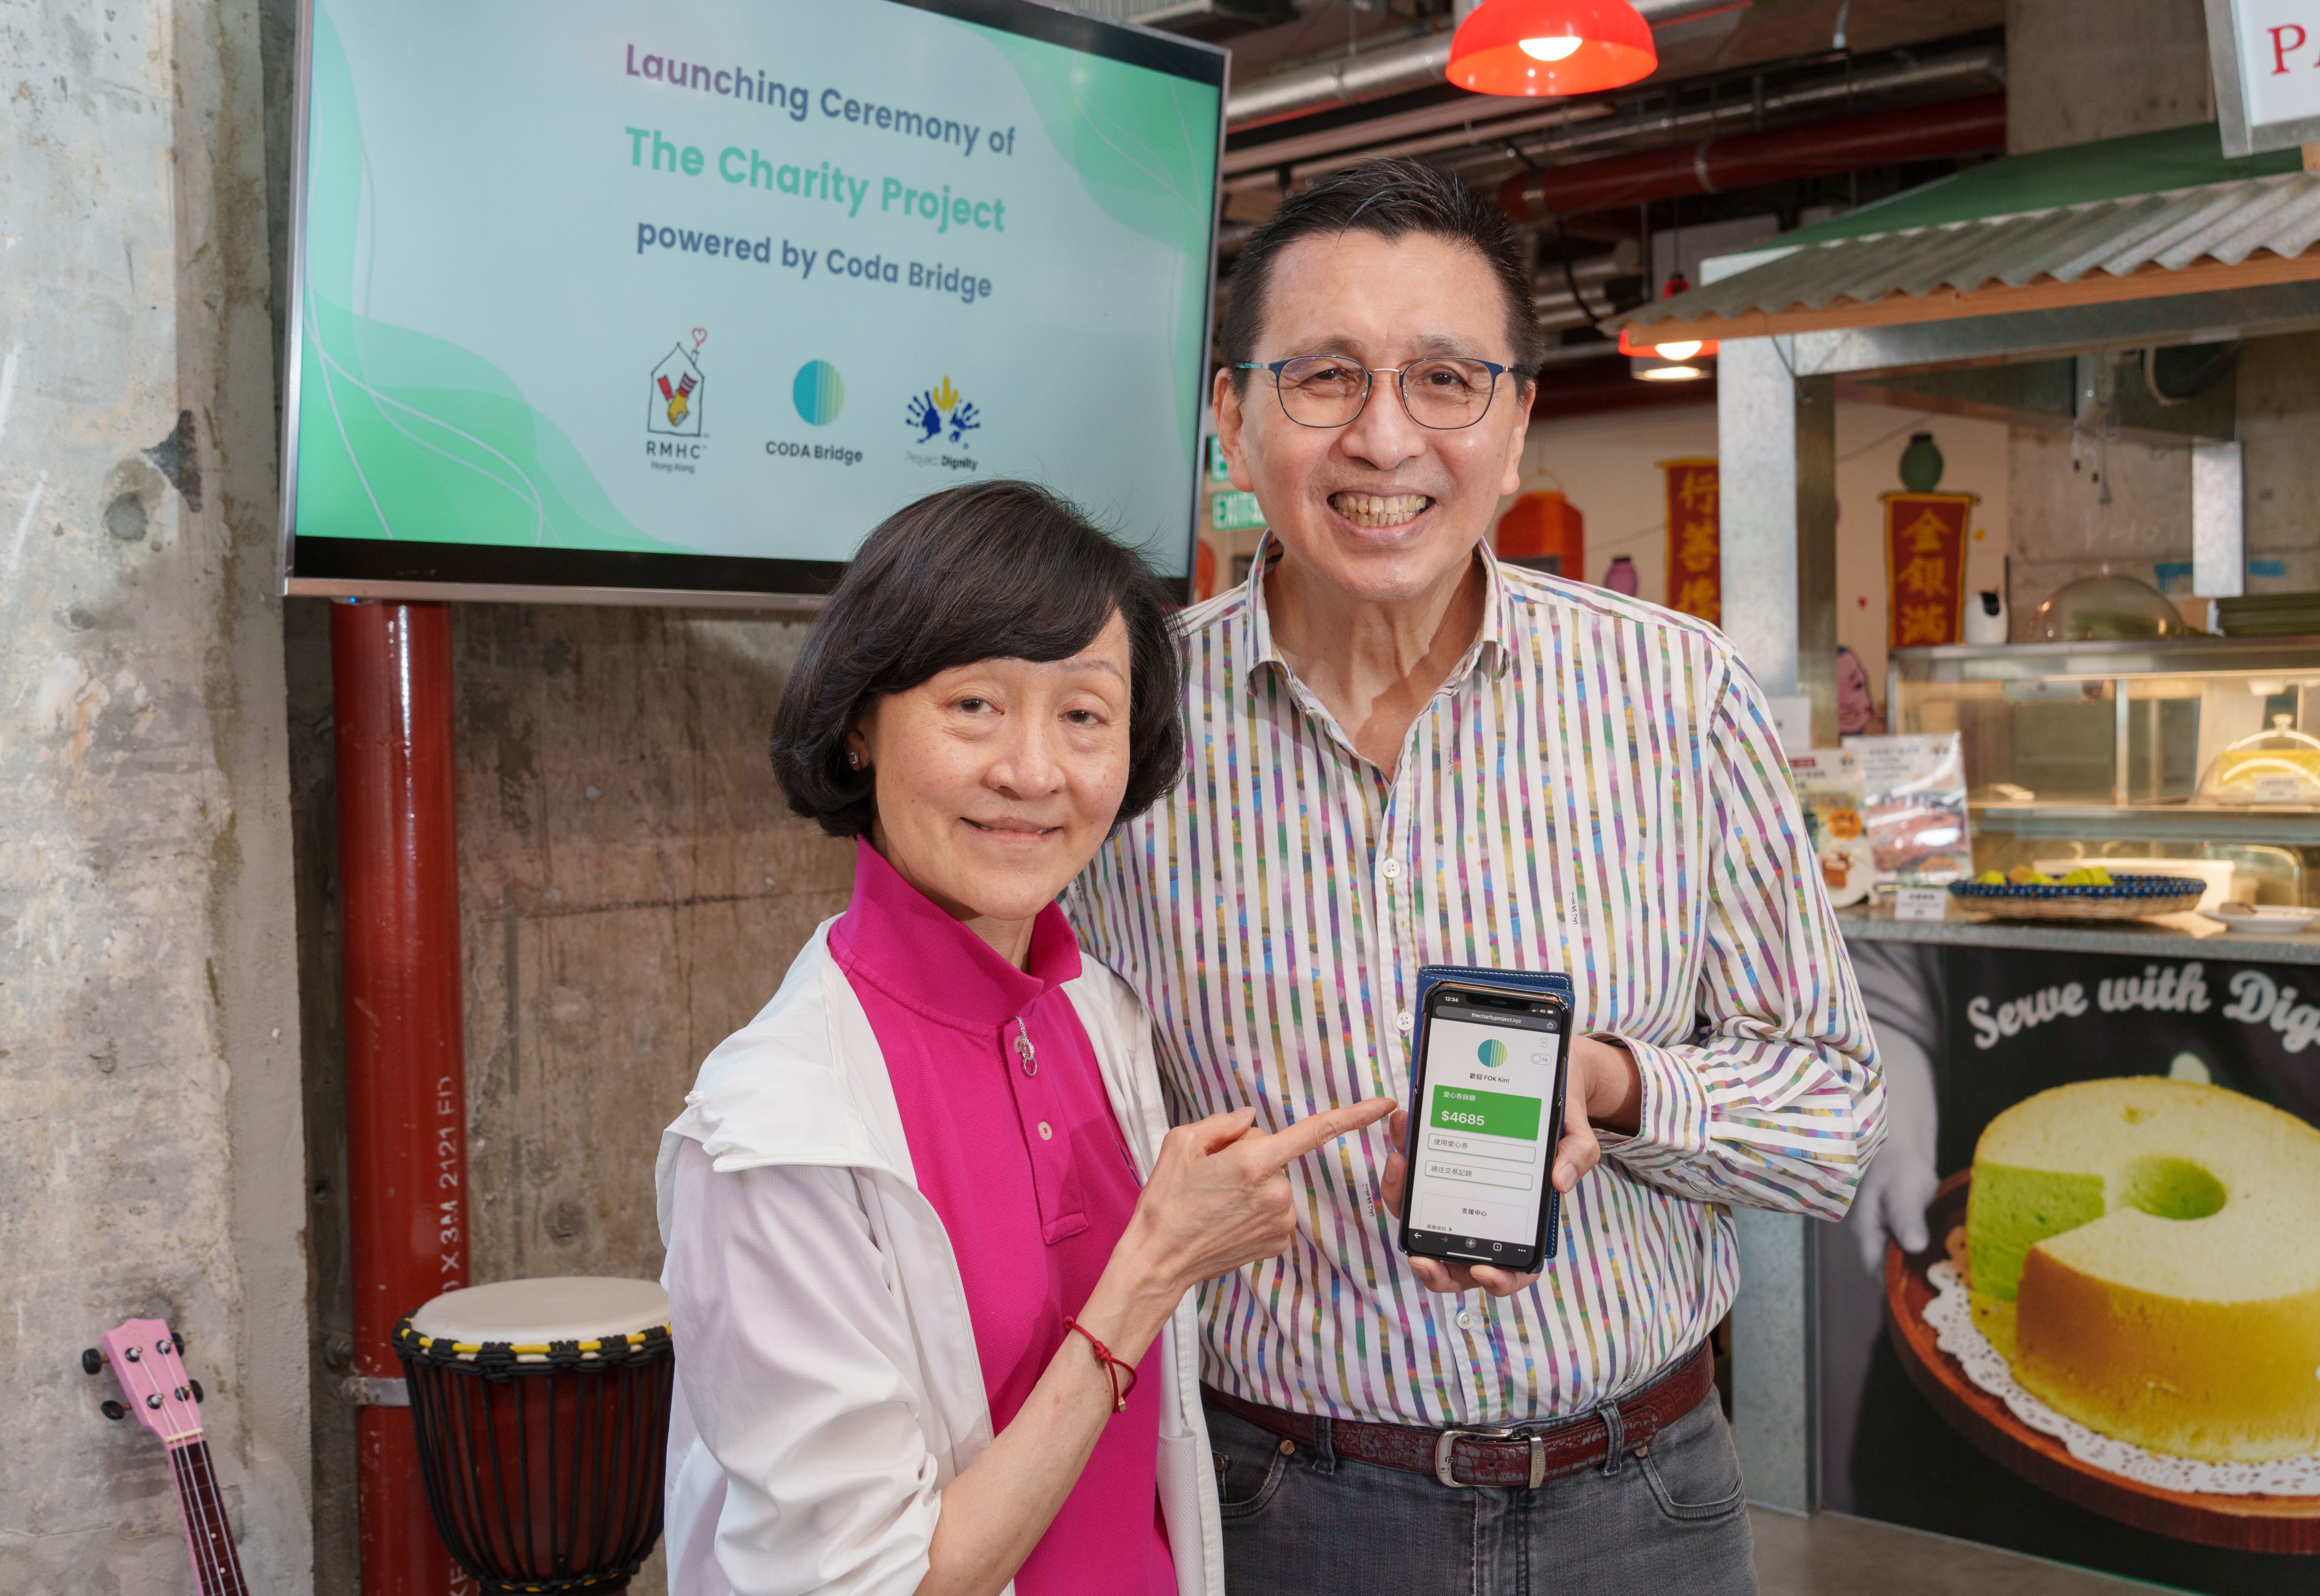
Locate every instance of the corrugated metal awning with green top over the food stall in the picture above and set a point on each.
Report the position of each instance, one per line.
(2108, 231)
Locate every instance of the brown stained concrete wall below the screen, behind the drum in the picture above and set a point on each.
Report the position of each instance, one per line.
(632, 890)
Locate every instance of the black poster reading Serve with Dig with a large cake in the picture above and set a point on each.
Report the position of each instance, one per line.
(2078, 1305)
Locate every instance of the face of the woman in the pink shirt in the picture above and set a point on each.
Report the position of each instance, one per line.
(999, 781)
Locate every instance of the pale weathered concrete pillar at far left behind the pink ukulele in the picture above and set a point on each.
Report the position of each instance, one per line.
(150, 1036)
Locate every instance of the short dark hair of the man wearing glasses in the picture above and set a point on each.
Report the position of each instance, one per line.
(1389, 198)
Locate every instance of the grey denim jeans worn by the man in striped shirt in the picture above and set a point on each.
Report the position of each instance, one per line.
(1662, 1518)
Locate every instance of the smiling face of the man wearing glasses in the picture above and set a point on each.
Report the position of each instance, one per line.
(1382, 509)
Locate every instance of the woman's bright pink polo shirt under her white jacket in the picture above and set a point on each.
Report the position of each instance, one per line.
(1029, 1175)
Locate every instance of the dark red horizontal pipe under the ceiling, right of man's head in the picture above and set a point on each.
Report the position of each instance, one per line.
(1716, 166)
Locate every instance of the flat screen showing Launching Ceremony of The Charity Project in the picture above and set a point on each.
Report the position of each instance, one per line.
(604, 300)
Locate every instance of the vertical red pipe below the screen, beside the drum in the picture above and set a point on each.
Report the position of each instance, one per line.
(405, 1068)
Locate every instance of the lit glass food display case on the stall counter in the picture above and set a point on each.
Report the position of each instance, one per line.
(2182, 748)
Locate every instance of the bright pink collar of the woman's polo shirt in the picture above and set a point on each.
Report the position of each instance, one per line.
(913, 950)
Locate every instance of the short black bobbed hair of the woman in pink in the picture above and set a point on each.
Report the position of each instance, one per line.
(980, 572)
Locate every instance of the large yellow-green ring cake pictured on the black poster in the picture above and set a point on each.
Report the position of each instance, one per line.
(2161, 1249)
